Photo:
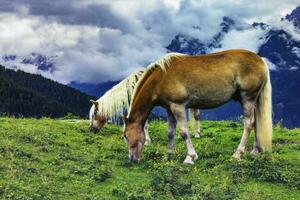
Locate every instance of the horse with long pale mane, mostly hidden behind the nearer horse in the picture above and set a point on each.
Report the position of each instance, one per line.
(117, 100)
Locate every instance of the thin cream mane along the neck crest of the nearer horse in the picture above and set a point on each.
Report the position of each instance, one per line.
(164, 63)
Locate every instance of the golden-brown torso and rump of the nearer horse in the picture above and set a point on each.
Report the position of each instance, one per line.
(213, 79)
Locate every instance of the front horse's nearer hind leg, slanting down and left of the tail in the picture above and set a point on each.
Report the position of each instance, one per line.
(248, 125)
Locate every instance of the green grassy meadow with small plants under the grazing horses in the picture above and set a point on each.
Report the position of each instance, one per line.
(57, 159)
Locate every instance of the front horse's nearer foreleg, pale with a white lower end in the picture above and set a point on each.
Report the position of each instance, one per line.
(178, 111)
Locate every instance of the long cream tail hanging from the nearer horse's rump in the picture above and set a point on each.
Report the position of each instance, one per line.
(263, 116)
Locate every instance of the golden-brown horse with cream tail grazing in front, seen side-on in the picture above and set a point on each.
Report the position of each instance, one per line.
(179, 81)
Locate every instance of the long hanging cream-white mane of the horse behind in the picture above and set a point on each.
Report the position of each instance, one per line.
(117, 100)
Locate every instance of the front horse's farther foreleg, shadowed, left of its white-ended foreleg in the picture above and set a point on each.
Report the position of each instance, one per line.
(171, 133)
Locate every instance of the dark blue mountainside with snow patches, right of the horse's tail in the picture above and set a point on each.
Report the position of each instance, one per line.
(283, 51)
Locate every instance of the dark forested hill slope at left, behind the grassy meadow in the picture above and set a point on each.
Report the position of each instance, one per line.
(31, 95)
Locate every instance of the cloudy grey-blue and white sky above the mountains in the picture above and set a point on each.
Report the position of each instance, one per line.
(105, 40)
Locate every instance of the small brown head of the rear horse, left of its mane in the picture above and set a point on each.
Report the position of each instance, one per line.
(96, 120)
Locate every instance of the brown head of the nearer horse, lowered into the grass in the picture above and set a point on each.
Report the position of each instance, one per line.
(135, 137)
